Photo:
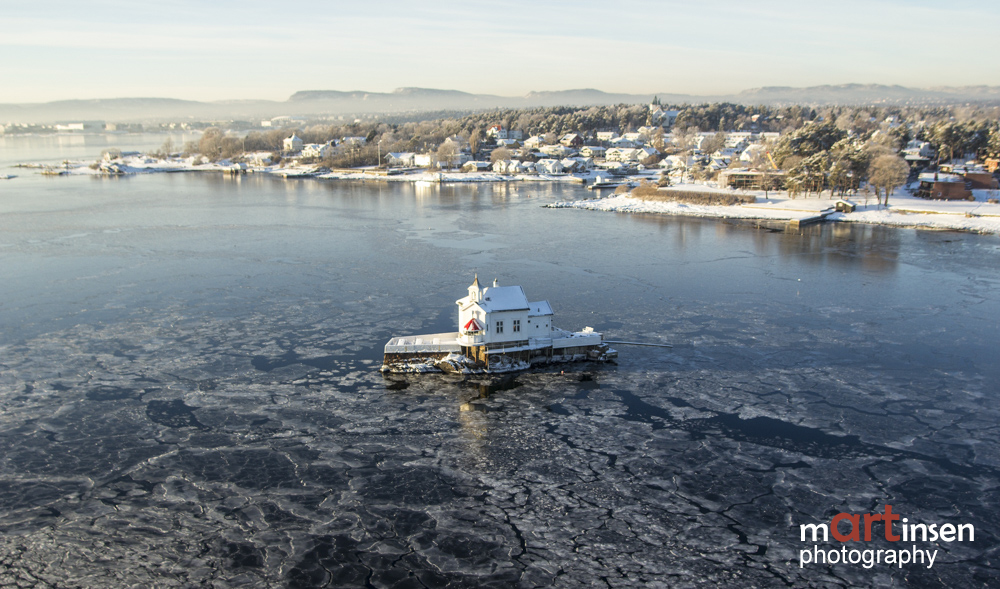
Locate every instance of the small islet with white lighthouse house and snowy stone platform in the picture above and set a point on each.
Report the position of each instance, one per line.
(499, 331)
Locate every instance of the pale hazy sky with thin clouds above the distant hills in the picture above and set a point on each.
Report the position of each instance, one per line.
(250, 49)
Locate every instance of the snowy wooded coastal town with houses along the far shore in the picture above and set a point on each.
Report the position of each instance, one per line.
(911, 167)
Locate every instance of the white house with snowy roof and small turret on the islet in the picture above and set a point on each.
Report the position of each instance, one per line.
(501, 314)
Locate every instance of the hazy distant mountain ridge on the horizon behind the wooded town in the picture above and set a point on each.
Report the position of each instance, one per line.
(318, 103)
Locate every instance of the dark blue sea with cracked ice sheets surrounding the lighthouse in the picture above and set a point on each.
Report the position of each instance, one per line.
(189, 393)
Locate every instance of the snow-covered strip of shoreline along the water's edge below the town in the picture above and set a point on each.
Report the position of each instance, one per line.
(904, 210)
